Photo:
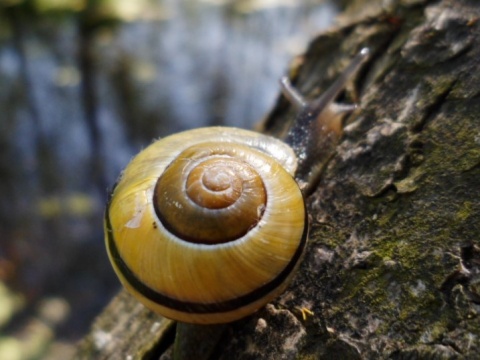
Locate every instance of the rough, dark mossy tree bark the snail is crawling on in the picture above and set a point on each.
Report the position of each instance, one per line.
(392, 267)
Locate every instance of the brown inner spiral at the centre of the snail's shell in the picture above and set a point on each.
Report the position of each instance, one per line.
(211, 193)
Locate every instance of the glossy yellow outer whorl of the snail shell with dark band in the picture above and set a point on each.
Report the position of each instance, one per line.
(198, 282)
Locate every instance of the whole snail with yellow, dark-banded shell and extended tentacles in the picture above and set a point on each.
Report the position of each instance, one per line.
(208, 225)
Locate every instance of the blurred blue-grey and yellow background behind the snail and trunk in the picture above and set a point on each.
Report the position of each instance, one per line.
(85, 85)
